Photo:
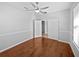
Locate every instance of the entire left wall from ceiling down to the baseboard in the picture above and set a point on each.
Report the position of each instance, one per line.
(15, 25)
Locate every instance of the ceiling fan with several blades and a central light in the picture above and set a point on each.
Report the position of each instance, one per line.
(37, 9)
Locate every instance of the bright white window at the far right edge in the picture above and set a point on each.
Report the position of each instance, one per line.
(76, 25)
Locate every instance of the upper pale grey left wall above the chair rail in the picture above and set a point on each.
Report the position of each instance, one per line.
(13, 19)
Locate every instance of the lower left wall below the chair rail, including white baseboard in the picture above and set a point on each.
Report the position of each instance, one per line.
(22, 36)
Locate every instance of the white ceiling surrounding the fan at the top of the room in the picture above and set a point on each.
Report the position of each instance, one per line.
(53, 6)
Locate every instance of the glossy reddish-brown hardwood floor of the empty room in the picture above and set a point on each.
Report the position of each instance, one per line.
(40, 47)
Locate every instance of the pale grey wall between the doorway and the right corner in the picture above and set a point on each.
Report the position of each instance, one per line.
(59, 25)
